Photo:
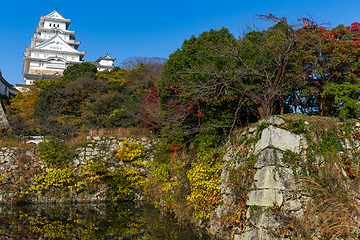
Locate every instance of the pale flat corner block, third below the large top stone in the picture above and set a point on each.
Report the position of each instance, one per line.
(265, 198)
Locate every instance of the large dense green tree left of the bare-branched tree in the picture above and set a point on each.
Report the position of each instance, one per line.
(192, 91)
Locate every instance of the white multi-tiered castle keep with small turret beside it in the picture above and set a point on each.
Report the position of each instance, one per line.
(53, 48)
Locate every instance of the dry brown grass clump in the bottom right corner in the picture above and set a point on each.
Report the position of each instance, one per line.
(333, 210)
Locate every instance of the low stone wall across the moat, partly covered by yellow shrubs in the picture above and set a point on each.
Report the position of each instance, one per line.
(13, 165)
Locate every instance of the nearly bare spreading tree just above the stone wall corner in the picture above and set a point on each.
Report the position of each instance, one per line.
(264, 58)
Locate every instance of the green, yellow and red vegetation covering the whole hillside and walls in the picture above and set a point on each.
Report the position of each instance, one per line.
(208, 91)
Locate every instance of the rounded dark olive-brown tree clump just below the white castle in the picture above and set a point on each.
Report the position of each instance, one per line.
(63, 109)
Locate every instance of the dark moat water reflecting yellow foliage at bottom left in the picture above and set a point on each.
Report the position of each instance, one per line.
(91, 221)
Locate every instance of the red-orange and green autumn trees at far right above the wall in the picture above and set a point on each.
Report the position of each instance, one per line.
(327, 69)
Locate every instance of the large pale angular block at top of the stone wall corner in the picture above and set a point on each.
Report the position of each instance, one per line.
(278, 138)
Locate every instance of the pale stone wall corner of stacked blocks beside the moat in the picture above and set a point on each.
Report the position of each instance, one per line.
(271, 198)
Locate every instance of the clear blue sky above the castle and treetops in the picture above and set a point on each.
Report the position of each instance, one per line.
(147, 28)
